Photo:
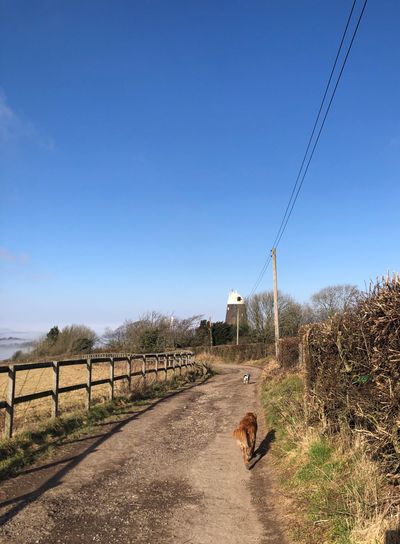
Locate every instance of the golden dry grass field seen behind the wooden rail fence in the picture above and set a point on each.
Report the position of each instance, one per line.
(26, 415)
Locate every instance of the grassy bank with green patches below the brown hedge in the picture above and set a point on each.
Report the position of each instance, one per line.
(338, 494)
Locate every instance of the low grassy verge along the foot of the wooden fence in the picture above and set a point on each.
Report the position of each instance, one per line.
(41, 442)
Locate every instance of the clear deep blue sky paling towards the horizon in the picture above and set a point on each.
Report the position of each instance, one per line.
(148, 149)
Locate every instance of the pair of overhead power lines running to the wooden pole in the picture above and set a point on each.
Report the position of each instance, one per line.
(297, 186)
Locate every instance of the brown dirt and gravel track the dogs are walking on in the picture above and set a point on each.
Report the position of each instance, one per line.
(172, 474)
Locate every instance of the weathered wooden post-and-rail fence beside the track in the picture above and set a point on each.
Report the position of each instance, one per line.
(161, 363)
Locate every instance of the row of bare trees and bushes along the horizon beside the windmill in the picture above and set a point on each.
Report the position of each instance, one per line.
(156, 332)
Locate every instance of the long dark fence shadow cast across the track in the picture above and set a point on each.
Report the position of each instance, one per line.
(23, 500)
